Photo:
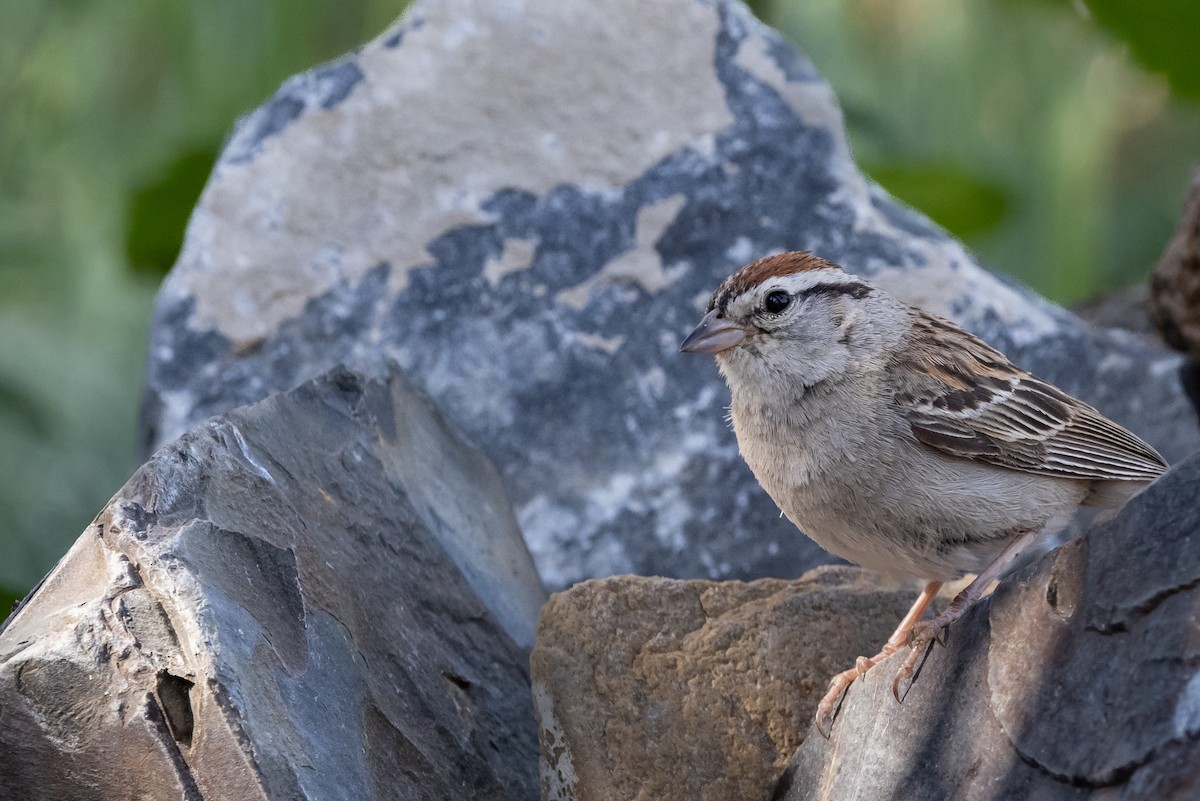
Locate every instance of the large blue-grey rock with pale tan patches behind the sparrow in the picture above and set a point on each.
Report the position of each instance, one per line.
(526, 206)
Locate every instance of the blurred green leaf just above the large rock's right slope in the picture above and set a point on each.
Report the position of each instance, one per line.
(961, 202)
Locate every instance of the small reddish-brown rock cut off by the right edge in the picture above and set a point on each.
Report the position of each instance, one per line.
(1175, 286)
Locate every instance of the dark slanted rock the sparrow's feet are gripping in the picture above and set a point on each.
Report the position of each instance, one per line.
(1078, 679)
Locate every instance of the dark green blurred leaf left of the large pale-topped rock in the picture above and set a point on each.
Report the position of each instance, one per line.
(159, 212)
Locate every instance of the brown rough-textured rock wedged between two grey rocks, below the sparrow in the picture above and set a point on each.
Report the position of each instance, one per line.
(699, 691)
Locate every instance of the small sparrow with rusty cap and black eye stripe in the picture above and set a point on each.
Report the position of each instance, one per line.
(899, 442)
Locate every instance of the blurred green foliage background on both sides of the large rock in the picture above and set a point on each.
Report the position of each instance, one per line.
(1054, 137)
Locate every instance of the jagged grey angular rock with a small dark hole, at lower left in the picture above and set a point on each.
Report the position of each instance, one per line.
(272, 609)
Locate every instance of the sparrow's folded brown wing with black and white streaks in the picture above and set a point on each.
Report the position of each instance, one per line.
(965, 399)
